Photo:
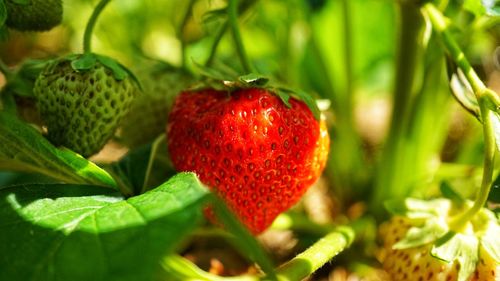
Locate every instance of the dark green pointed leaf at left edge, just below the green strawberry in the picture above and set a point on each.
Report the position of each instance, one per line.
(22, 148)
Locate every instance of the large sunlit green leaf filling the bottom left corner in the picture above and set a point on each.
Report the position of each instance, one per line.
(73, 232)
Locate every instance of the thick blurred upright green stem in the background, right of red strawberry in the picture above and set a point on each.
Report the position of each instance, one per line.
(392, 174)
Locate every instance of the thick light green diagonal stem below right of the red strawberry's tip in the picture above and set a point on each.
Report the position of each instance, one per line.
(317, 255)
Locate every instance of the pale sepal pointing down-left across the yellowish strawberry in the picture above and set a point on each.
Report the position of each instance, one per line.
(418, 236)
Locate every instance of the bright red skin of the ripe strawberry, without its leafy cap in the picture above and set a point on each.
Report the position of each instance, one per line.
(258, 155)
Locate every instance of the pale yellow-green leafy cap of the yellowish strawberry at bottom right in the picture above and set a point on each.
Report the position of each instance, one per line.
(430, 222)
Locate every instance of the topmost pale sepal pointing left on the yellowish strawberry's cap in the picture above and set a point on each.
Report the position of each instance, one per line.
(419, 209)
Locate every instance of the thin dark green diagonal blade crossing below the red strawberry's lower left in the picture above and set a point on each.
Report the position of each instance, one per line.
(242, 239)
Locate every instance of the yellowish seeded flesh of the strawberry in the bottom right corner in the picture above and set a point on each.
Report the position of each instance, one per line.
(417, 263)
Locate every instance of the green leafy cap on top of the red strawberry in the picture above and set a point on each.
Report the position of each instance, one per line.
(228, 80)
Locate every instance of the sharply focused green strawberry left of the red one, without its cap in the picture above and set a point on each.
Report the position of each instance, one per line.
(82, 109)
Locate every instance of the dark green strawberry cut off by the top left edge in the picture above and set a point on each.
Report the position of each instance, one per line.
(33, 15)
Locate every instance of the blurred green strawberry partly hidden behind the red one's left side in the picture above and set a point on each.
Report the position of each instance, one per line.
(147, 117)
